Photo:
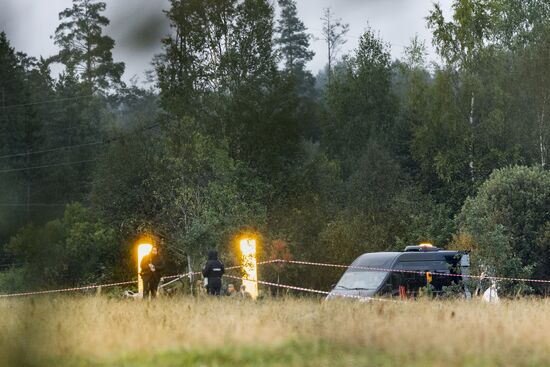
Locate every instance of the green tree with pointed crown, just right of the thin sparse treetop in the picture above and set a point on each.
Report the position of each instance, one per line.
(360, 105)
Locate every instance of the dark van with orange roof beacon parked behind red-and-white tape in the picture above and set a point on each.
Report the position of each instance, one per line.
(403, 274)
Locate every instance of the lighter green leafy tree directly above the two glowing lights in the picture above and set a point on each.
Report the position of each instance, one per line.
(209, 197)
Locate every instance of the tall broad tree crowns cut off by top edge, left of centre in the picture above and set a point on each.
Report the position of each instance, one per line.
(218, 47)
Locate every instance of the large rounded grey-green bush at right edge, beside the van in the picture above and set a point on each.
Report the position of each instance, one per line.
(508, 220)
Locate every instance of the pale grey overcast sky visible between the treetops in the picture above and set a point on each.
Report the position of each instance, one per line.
(138, 25)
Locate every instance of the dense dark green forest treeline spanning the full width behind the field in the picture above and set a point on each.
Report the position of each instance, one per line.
(238, 136)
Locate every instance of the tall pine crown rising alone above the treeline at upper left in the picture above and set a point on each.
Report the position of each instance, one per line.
(84, 48)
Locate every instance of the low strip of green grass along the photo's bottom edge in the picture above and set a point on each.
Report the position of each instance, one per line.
(293, 354)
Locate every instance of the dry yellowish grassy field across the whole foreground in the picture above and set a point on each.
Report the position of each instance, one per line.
(97, 331)
